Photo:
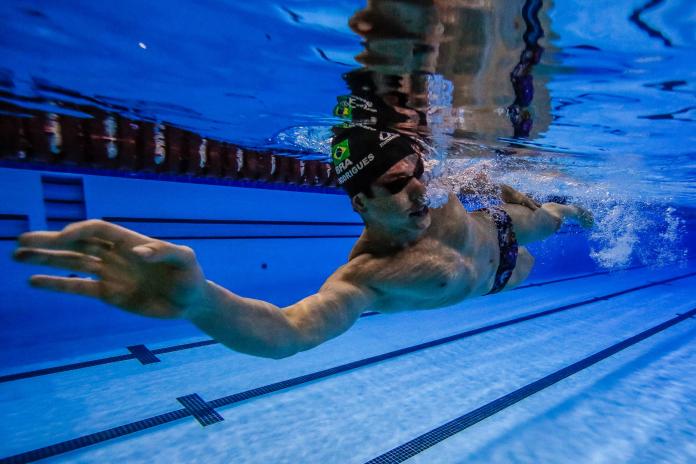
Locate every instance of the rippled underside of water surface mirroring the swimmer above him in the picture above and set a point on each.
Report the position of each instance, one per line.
(566, 98)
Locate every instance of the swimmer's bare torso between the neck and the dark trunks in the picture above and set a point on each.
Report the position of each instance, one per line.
(455, 259)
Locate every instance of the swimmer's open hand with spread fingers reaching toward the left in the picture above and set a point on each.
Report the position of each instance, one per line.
(132, 271)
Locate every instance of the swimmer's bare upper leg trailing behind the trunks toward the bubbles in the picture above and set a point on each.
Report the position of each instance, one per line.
(535, 225)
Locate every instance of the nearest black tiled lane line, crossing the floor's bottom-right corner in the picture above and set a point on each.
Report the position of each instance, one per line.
(435, 436)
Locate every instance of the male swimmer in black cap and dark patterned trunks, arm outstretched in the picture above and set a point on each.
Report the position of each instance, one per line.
(408, 257)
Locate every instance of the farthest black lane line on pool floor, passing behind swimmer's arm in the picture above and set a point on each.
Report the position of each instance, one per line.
(186, 346)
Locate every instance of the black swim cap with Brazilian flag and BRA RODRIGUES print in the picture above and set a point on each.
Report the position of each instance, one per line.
(360, 154)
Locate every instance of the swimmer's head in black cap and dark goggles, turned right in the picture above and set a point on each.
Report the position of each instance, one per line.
(383, 176)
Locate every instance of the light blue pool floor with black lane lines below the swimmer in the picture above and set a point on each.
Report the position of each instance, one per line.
(592, 368)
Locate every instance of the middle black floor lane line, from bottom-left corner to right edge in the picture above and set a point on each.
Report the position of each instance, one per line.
(98, 437)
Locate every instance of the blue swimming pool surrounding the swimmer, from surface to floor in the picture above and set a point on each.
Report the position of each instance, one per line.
(588, 361)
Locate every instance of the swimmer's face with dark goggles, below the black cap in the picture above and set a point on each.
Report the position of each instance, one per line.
(398, 199)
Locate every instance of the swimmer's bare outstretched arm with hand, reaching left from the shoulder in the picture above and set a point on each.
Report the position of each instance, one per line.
(159, 279)
